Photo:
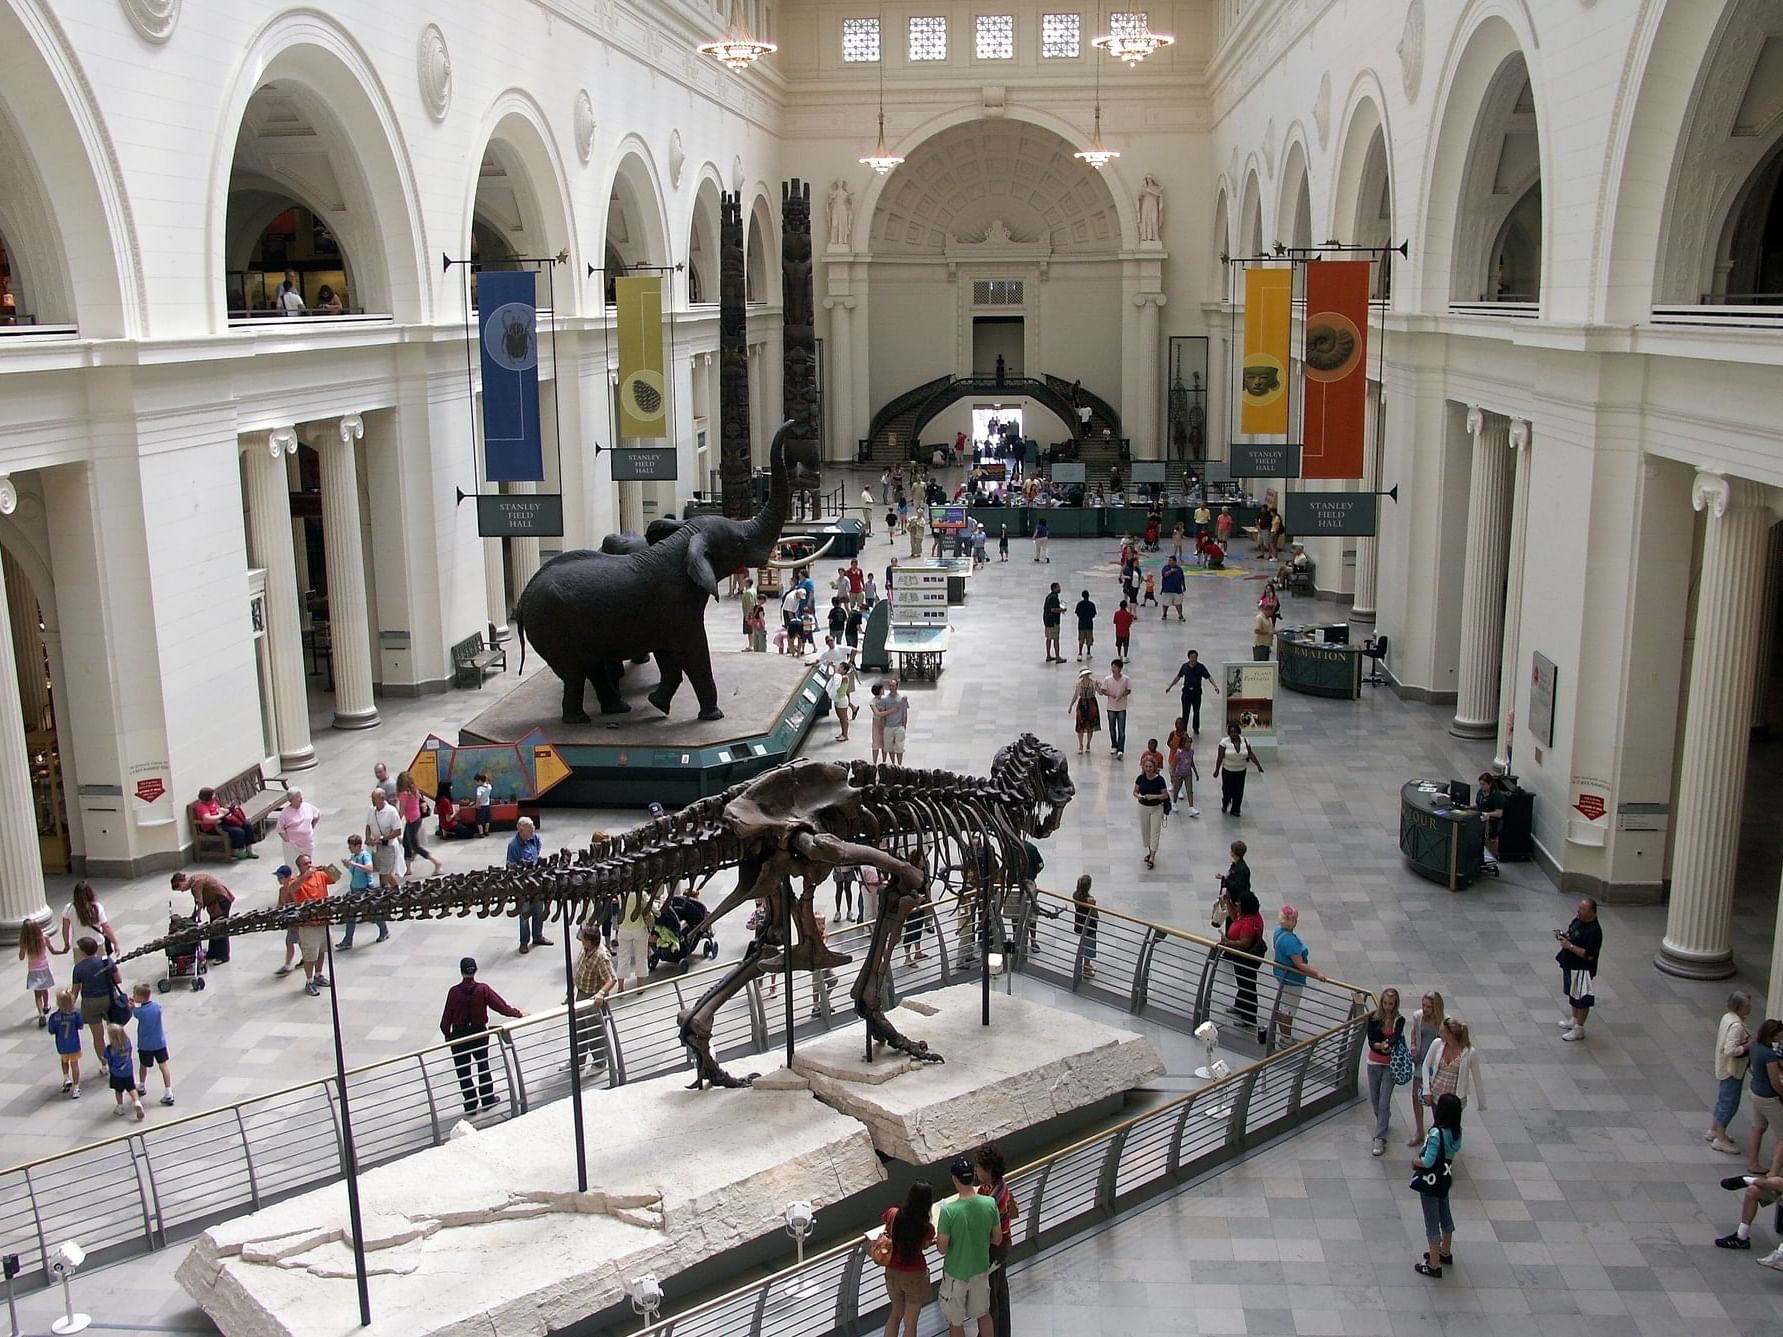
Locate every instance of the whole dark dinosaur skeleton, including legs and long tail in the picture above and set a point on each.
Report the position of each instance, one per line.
(801, 821)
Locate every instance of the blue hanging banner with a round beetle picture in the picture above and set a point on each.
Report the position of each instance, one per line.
(509, 325)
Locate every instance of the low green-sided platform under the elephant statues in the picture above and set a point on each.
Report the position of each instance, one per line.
(645, 757)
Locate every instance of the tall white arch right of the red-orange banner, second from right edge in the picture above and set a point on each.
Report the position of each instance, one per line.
(1483, 165)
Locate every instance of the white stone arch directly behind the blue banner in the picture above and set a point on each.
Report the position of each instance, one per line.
(520, 195)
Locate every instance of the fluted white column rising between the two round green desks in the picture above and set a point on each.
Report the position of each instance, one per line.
(1483, 593)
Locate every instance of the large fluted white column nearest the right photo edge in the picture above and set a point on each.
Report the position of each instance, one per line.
(1718, 726)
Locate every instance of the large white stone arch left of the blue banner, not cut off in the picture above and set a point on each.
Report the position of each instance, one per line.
(336, 145)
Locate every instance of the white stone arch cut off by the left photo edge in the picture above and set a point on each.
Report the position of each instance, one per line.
(65, 211)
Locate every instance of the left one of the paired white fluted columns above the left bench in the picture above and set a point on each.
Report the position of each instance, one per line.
(270, 534)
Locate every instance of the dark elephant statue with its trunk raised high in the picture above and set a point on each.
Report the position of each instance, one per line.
(587, 612)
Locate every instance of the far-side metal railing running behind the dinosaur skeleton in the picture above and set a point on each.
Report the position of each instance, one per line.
(201, 1169)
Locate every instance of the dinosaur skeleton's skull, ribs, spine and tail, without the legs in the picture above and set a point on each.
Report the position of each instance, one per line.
(935, 819)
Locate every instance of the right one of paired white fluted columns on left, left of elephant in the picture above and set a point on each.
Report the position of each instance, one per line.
(345, 554)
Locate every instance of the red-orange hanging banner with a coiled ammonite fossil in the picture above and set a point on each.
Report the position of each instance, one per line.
(1336, 368)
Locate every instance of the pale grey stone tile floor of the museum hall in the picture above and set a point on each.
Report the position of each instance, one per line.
(1586, 1199)
